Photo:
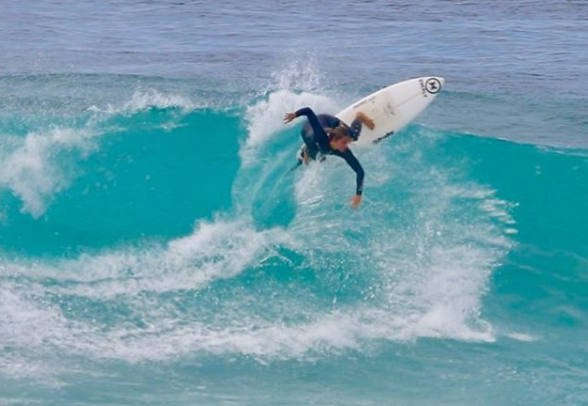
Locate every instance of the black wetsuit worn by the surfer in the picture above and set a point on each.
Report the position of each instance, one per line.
(316, 139)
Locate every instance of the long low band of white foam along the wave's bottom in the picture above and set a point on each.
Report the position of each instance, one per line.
(37, 331)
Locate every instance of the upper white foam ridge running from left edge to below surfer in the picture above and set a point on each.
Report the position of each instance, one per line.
(215, 250)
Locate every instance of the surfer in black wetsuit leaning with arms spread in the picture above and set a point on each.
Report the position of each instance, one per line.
(327, 135)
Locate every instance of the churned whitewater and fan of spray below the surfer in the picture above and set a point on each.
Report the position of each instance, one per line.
(384, 273)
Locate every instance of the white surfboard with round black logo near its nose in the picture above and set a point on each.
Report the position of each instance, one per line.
(392, 107)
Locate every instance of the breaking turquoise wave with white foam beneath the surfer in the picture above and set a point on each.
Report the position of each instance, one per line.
(280, 267)
